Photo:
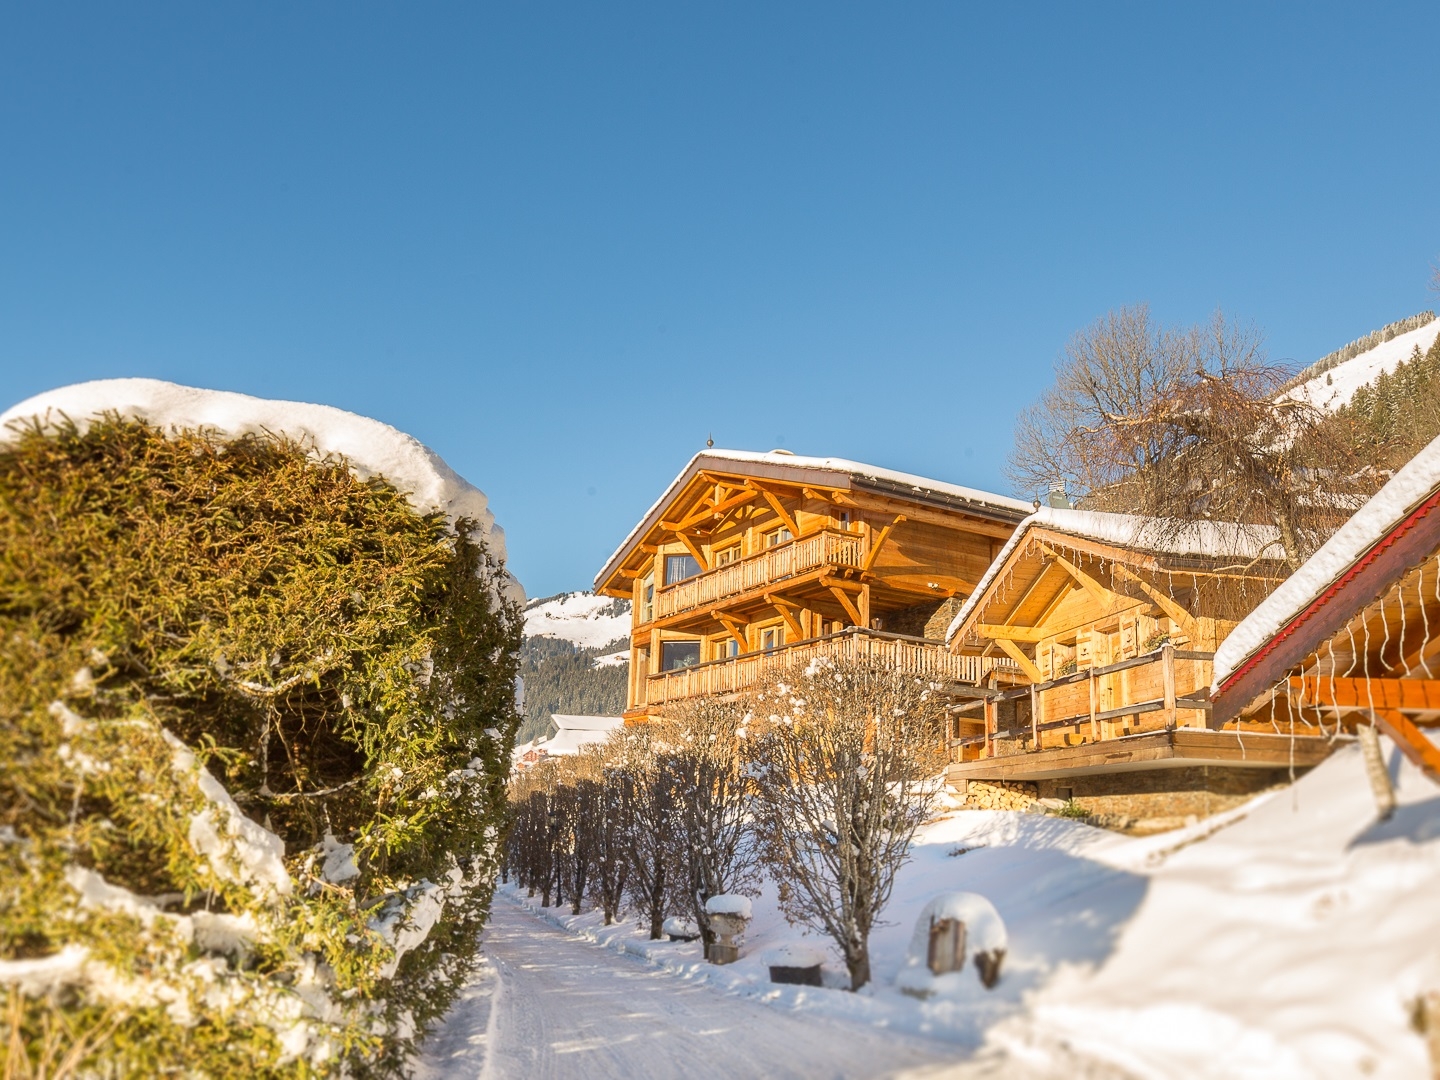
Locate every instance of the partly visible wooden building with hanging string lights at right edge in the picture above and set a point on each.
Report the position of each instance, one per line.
(1354, 637)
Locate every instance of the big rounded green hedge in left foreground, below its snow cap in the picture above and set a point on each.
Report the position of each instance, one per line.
(256, 721)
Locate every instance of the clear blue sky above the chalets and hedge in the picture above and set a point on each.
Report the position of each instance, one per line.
(565, 244)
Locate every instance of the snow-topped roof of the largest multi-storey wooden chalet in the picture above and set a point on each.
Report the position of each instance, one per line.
(892, 482)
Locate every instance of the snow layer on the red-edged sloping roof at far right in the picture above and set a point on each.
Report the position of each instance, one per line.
(1370, 525)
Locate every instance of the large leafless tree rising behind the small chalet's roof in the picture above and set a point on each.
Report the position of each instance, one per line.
(1182, 426)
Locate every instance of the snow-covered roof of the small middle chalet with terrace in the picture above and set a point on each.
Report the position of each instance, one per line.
(1203, 539)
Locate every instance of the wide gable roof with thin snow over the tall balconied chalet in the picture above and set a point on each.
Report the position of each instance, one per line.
(834, 473)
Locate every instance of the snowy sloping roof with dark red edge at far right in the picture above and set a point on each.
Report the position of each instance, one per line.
(1364, 558)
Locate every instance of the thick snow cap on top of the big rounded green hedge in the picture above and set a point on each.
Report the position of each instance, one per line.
(371, 449)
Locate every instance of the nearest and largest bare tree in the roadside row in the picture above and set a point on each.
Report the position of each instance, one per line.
(845, 761)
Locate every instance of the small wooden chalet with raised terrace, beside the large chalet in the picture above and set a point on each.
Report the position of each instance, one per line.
(1112, 624)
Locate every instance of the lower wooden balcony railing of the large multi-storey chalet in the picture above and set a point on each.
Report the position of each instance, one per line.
(915, 656)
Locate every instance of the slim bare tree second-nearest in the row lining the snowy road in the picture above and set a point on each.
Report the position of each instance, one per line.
(714, 797)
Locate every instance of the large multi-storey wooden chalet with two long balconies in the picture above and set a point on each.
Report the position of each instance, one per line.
(752, 562)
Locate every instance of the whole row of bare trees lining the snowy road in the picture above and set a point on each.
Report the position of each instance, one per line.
(817, 781)
